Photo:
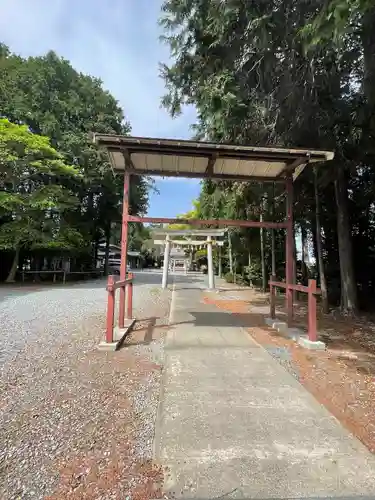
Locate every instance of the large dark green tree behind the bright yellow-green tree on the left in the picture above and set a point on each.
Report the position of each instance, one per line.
(48, 95)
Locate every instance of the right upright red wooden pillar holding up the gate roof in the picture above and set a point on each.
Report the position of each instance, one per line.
(289, 249)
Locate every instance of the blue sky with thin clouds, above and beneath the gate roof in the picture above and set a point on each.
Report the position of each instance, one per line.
(116, 41)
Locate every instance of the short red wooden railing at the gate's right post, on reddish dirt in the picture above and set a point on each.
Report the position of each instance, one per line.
(312, 292)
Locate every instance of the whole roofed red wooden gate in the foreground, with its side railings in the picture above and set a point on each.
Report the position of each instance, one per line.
(190, 159)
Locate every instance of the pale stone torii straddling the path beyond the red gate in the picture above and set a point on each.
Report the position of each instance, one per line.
(208, 233)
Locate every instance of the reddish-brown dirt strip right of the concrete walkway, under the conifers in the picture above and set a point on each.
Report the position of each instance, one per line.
(342, 378)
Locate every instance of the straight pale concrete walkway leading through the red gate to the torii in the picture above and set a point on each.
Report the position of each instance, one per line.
(233, 423)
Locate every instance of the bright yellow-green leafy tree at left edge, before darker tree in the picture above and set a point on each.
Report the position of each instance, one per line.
(33, 202)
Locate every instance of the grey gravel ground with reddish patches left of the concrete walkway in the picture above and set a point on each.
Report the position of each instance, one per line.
(76, 422)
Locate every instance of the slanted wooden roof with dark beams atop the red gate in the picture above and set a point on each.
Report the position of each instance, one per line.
(181, 158)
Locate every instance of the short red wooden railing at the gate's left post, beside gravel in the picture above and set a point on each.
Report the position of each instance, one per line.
(125, 306)
